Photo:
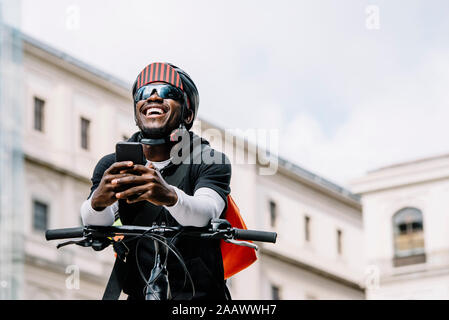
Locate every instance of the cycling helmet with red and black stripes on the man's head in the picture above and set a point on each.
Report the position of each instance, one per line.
(169, 73)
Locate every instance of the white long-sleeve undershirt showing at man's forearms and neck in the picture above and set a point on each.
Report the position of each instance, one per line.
(196, 210)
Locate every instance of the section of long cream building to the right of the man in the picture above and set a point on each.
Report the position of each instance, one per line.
(319, 226)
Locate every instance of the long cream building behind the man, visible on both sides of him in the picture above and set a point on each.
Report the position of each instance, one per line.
(74, 114)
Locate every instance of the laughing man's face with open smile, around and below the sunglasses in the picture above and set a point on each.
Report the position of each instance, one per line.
(159, 122)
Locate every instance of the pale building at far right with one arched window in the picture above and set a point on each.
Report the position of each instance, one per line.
(406, 229)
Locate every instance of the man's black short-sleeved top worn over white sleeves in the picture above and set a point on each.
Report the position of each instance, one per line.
(202, 257)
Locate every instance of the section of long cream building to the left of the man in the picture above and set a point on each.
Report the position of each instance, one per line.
(73, 115)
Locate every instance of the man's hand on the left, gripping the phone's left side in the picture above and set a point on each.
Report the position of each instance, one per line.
(104, 195)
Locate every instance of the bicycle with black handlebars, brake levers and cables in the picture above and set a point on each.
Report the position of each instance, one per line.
(157, 285)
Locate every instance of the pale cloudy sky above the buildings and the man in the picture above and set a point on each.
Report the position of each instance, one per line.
(350, 86)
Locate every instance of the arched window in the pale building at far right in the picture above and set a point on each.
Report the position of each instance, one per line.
(408, 237)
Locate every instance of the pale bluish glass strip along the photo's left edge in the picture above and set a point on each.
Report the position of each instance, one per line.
(11, 153)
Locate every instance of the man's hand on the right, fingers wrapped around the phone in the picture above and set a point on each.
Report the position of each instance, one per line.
(150, 186)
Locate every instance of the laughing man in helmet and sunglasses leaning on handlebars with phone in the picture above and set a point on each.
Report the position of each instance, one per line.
(186, 193)
